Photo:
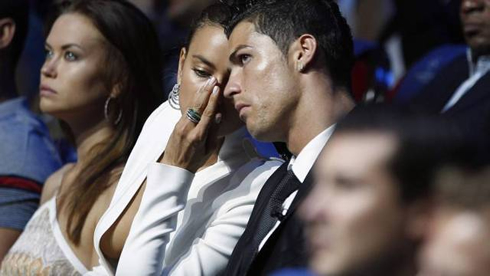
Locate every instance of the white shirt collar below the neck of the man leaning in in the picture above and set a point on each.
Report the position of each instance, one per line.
(301, 164)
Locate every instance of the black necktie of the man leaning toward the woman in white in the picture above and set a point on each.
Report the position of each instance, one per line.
(273, 210)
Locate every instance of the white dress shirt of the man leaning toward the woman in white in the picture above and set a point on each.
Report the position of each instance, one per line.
(301, 166)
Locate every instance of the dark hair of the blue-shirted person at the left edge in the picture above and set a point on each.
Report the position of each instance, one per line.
(18, 10)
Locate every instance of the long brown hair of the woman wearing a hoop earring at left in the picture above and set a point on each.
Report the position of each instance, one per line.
(133, 65)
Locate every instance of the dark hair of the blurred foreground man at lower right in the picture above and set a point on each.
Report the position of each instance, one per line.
(424, 144)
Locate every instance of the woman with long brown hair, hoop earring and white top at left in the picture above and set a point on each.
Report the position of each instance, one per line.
(102, 78)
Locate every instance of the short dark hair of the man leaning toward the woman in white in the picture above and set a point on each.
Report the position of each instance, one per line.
(286, 20)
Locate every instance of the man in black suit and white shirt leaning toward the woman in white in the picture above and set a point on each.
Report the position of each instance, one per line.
(291, 62)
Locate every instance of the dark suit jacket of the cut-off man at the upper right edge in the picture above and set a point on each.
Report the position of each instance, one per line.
(471, 114)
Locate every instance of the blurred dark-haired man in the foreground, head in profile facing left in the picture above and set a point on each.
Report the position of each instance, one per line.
(369, 205)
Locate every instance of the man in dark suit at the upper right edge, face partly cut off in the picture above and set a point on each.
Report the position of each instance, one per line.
(461, 91)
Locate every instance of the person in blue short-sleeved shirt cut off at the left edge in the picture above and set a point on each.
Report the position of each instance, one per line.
(27, 154)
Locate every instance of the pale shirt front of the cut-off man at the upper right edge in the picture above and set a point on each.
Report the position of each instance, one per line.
(477, 70)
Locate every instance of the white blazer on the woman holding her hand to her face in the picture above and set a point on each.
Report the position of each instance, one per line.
(187, 224)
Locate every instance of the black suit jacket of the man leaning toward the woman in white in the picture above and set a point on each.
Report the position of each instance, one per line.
(285, 247)
